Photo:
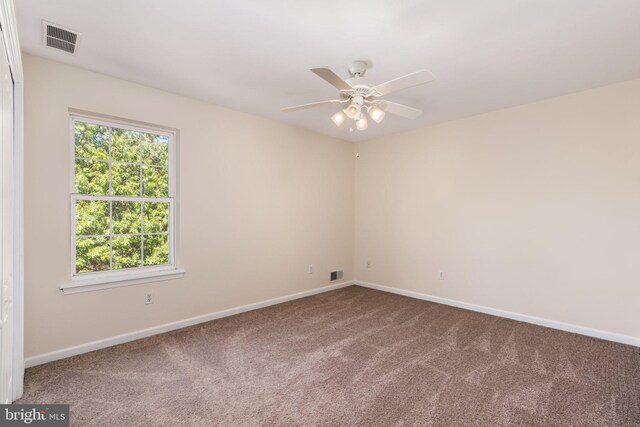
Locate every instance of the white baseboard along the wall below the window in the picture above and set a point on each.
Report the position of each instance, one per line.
(167, 327)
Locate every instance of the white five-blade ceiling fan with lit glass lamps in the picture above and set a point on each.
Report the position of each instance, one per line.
(359, 95)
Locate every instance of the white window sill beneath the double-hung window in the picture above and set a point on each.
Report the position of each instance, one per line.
(96, 283)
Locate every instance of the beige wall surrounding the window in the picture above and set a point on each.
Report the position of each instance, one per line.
(259, 202)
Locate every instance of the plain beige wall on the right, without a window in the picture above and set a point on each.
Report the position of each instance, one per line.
(533, 209)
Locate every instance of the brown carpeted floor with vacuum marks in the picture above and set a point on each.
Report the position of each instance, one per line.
(350, 357)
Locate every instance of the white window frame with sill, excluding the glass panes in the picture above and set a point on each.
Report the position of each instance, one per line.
(82, 282)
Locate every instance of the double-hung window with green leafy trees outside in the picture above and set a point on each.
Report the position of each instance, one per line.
(122, 202)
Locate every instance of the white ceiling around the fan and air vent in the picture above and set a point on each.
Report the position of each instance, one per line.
(255, 55)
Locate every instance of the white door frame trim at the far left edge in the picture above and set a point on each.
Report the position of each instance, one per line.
(12, 45)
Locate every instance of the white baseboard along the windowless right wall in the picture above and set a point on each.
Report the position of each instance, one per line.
(568, 327)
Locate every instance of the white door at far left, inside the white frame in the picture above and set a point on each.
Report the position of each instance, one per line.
(6, 238)
